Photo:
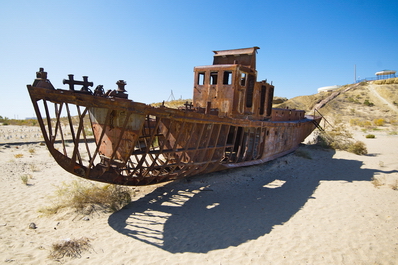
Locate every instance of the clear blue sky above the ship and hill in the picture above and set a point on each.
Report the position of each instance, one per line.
(154, 44)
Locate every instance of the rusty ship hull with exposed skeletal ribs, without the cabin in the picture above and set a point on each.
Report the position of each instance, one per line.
(118, 141)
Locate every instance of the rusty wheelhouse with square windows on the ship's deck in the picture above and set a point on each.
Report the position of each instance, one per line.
(229, 87)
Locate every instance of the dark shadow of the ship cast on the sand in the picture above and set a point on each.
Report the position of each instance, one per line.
(236, 206)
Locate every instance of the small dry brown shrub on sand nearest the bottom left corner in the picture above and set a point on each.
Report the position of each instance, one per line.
(70, 248)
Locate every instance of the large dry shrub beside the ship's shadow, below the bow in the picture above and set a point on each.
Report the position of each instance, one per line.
(83, 195)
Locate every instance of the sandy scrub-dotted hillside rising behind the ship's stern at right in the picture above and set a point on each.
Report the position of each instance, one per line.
(359, 104)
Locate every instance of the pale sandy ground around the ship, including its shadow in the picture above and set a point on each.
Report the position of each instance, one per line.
(324, 210)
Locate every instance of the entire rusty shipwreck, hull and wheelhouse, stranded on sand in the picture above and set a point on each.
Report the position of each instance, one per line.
(230, 123)
